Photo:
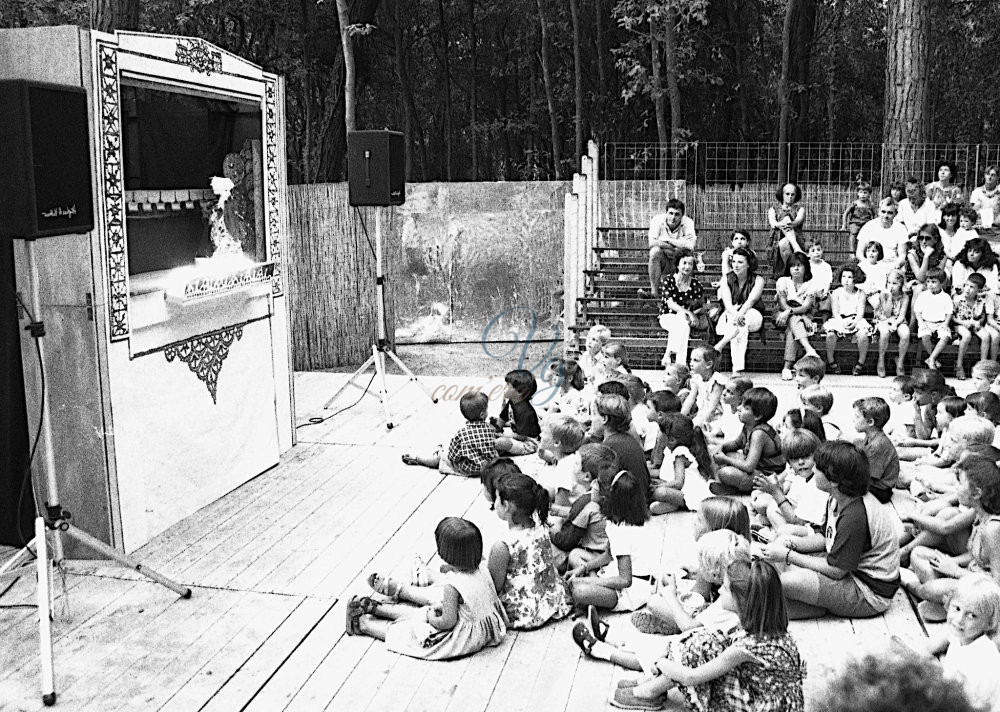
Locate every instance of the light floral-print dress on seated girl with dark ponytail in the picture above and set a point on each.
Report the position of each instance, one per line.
(533, 592)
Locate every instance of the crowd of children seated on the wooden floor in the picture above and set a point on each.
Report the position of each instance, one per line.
(794, 518)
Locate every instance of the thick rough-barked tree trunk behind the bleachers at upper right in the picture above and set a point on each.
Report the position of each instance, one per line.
(907, 84)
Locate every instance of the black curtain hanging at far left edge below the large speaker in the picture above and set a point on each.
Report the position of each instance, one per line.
(16, 506)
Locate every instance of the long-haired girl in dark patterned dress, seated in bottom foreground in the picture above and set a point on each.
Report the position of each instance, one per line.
(758, 667)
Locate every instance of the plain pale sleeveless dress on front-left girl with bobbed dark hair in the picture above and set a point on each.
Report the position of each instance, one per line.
(481, 622)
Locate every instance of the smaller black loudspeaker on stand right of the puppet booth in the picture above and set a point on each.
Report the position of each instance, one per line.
(375, 168)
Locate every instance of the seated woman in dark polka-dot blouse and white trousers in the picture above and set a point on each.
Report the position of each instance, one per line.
(682, 307)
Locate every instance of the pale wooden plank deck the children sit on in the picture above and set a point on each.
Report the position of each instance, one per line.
(273, 563)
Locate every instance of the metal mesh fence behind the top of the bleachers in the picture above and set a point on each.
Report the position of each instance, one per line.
(725, 185)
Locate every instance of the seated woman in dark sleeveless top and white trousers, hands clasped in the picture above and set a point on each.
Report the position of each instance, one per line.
(740, 293)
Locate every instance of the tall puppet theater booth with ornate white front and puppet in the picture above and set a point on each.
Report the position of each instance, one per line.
(167, 353)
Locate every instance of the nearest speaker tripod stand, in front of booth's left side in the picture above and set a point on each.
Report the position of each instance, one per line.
(55, 522)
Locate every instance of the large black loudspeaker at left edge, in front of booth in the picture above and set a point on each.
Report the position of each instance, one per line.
(45, 179)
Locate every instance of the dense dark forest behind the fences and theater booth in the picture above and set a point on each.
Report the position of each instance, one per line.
(511, 89)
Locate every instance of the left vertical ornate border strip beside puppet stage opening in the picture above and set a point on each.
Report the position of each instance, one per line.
(113, 183)
